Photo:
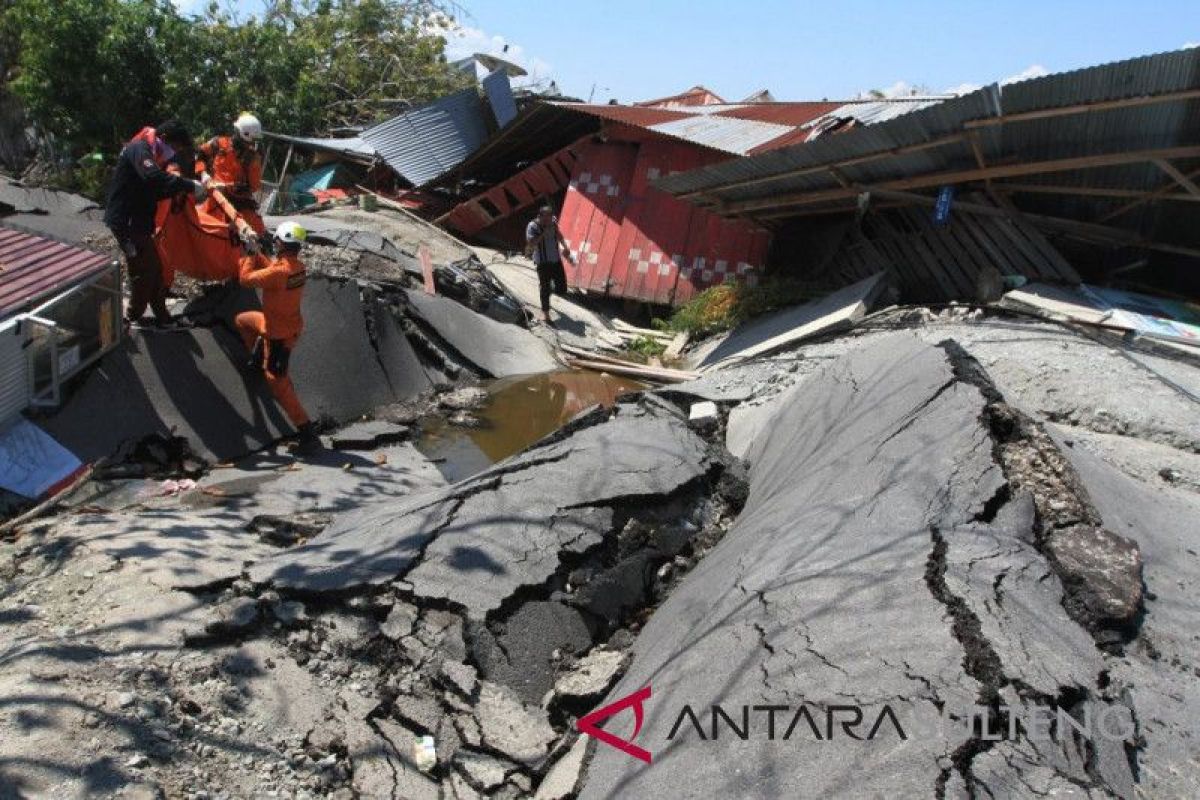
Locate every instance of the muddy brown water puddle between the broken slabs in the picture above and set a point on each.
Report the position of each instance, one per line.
(519, 413)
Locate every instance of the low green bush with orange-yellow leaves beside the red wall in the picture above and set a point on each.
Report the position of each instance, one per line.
(722, 308)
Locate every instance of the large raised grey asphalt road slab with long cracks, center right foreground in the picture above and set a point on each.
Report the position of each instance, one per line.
(857, 512)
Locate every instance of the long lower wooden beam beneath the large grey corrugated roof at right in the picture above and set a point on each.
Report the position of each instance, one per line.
(965, 176)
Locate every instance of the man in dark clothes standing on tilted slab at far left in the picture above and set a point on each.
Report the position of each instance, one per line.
(140, 182)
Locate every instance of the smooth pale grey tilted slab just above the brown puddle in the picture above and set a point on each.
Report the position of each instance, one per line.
(496, 350)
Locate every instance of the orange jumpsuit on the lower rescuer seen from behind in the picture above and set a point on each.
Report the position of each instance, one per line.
(280, 323)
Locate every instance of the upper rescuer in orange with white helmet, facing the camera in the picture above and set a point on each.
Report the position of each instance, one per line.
(232, 166)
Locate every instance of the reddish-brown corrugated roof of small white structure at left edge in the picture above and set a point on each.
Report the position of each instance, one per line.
(33, 268)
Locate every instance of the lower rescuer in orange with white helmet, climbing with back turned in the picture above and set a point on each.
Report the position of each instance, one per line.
(272, 334)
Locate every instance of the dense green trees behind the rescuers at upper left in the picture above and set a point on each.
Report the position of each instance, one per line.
(92, 73)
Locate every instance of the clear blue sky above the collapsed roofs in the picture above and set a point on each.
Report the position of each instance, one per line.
(809, 51)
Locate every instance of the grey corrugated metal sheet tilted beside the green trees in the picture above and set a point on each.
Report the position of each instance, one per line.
(425, 143)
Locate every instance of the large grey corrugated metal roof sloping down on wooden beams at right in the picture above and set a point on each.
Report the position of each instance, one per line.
(793, 170)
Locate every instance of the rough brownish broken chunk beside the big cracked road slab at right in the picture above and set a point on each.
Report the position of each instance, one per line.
(1102, 573)
